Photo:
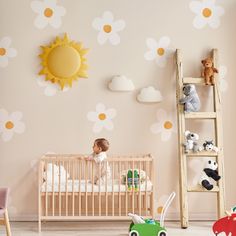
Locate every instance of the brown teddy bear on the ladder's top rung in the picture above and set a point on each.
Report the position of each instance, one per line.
(209, 70)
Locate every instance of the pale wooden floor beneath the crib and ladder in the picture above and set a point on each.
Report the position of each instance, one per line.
(100, 229)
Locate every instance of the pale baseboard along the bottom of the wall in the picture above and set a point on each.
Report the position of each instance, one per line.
(170, 217)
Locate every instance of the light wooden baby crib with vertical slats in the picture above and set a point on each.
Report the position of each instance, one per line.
(75, 197)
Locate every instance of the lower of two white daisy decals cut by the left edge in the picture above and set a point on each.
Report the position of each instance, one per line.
(10, 124)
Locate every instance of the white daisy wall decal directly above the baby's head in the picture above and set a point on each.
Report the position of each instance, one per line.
(102, 118)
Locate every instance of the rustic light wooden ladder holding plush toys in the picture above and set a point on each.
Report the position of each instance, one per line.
(217, 118)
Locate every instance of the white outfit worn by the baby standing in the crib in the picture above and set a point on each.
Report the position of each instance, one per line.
(102, 168)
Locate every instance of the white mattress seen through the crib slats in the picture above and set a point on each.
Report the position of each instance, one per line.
(81, 187)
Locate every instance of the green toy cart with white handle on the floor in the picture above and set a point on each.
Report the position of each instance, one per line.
(150, 227)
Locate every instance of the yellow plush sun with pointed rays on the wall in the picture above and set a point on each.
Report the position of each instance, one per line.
(63, 61)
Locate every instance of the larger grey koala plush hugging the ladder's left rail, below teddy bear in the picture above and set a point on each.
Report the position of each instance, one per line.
(191, 100)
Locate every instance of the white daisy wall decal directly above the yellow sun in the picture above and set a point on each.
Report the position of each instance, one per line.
(48, 13)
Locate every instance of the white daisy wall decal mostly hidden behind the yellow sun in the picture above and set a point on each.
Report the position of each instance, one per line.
(50, 89)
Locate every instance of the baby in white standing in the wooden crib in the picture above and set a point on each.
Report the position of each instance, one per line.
(99, 156)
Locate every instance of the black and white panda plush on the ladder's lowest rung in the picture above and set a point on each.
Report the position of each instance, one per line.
(209, 172)
